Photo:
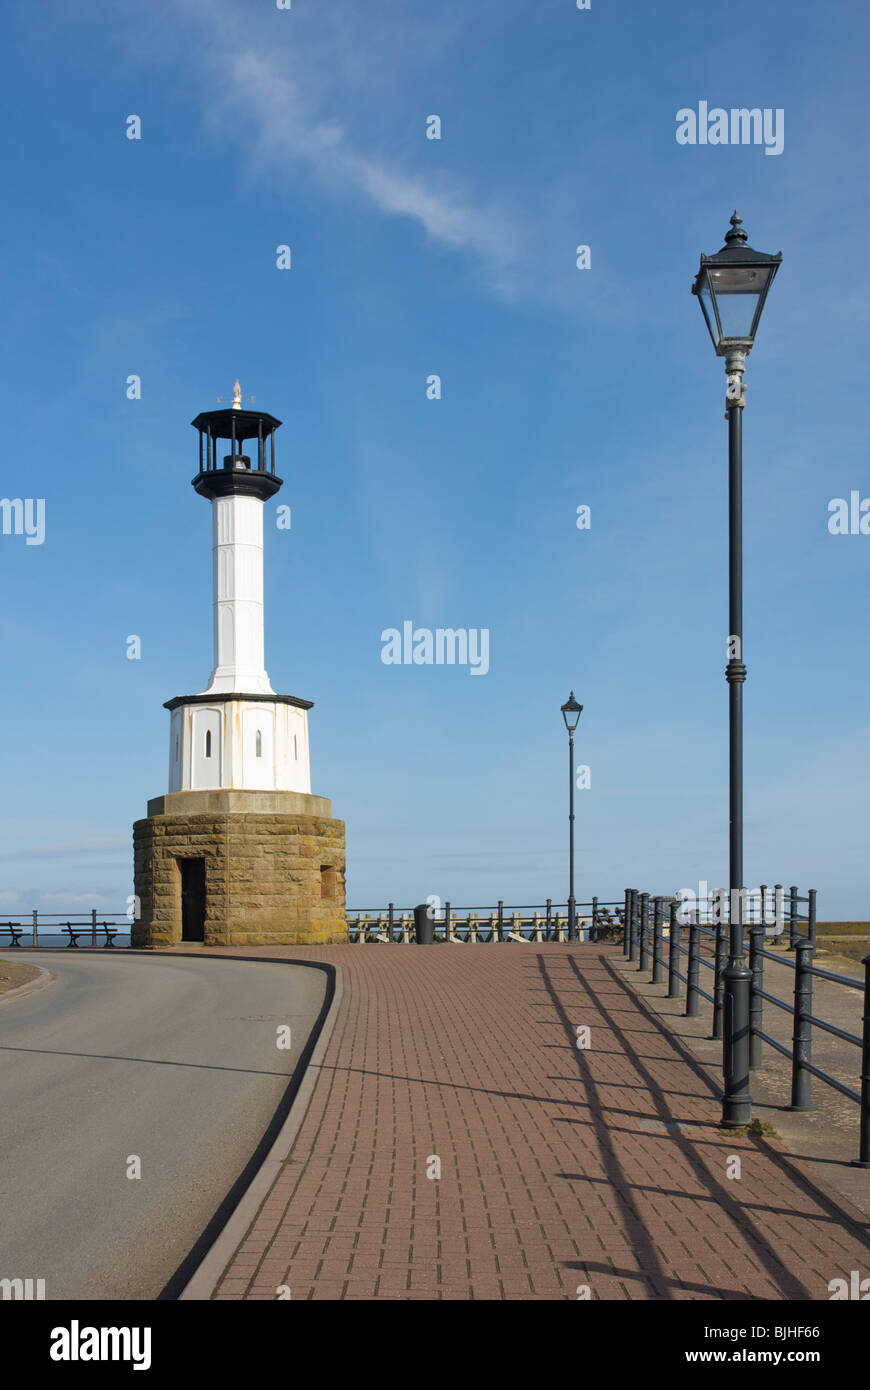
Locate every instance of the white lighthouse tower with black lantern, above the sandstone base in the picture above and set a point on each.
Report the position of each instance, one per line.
(238, 733)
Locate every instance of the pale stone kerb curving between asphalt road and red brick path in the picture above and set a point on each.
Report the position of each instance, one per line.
(208, 1275)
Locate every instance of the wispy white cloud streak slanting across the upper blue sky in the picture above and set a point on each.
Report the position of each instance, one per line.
(276, 92)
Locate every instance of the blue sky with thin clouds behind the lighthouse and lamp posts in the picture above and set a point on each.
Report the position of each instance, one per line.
(263, 127)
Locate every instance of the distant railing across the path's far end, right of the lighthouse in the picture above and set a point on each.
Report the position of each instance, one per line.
(597, 921)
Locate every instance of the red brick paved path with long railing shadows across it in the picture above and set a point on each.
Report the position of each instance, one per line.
(558, 1167)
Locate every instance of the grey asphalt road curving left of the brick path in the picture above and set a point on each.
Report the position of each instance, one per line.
(172, 1060)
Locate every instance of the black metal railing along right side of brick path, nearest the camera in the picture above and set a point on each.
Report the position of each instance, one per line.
(708, 949)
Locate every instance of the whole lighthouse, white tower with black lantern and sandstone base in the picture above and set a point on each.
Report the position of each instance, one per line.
(238, 851)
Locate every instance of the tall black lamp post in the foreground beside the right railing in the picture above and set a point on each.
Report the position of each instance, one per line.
(732, 288)
